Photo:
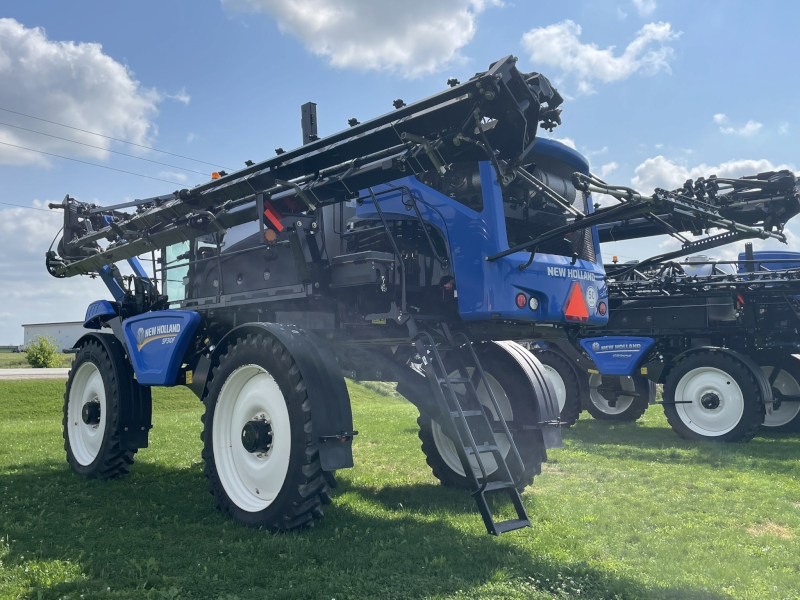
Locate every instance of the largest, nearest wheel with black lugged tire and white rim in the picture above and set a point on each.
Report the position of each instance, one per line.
(304, 487)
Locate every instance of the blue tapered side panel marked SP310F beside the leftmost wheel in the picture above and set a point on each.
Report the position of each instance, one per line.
(157, 342)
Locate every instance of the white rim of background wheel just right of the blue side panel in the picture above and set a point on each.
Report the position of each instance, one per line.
(725, 395)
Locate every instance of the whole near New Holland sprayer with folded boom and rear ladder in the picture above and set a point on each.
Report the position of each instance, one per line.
(413, 248)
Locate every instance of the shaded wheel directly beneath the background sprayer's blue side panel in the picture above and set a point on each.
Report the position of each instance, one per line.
(626, 408)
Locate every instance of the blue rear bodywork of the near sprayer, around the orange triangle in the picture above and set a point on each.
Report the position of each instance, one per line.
(487, 290)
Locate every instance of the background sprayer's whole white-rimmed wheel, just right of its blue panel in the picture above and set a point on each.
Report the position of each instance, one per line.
(722, 413)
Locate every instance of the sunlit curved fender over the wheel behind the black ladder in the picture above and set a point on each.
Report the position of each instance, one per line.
(545, 411)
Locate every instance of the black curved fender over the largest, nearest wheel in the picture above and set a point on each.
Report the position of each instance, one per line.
(332, 416)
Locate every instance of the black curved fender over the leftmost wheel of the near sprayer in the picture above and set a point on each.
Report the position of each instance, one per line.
(136, 402)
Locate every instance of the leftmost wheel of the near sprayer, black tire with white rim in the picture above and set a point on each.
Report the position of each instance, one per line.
(93, 449)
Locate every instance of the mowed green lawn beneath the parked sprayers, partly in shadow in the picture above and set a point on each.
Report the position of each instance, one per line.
(623, 511)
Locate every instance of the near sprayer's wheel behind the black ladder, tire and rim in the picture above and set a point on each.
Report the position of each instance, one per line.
(509, 389)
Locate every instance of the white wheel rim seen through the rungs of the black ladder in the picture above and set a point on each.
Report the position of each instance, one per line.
(445, 446)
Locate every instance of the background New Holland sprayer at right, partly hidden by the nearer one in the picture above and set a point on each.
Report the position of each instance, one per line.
(720, 335)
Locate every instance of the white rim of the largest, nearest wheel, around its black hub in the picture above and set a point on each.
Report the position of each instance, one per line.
(251, 480)
